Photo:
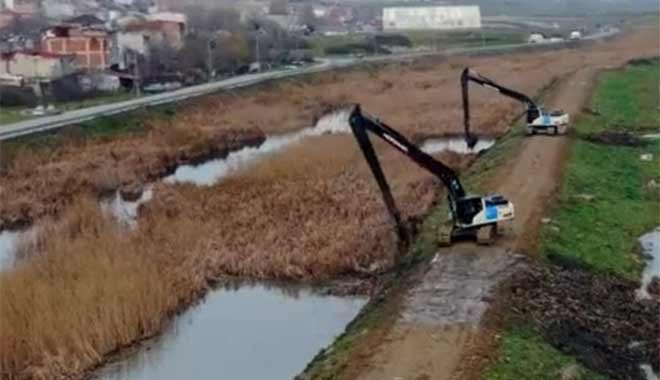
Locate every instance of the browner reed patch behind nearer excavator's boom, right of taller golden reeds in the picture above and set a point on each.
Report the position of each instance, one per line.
(310, 213)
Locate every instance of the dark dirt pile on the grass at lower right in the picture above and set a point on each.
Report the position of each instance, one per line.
(594, 317)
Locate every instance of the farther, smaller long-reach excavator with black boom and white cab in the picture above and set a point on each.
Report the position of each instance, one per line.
(538, 120)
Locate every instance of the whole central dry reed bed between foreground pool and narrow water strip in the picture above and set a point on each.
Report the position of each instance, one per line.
(309, 214)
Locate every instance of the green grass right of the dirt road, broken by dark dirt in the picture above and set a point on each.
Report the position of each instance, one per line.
(603, 207)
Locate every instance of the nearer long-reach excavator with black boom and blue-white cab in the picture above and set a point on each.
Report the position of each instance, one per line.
(472, 215)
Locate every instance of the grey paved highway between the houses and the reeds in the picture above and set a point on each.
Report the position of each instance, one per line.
(48, 123)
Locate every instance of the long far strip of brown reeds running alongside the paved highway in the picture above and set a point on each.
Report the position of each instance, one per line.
(422, 99)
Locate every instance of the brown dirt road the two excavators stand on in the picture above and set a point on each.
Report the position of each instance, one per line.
(440, 316)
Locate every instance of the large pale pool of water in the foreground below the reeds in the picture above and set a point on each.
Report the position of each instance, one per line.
(253, 332)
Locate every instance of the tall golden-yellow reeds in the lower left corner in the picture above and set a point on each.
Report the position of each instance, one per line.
(91, 289)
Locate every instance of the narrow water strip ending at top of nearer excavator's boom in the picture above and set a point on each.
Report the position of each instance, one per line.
(209, 173)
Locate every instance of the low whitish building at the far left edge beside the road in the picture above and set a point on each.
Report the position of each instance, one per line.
(34, 65)
